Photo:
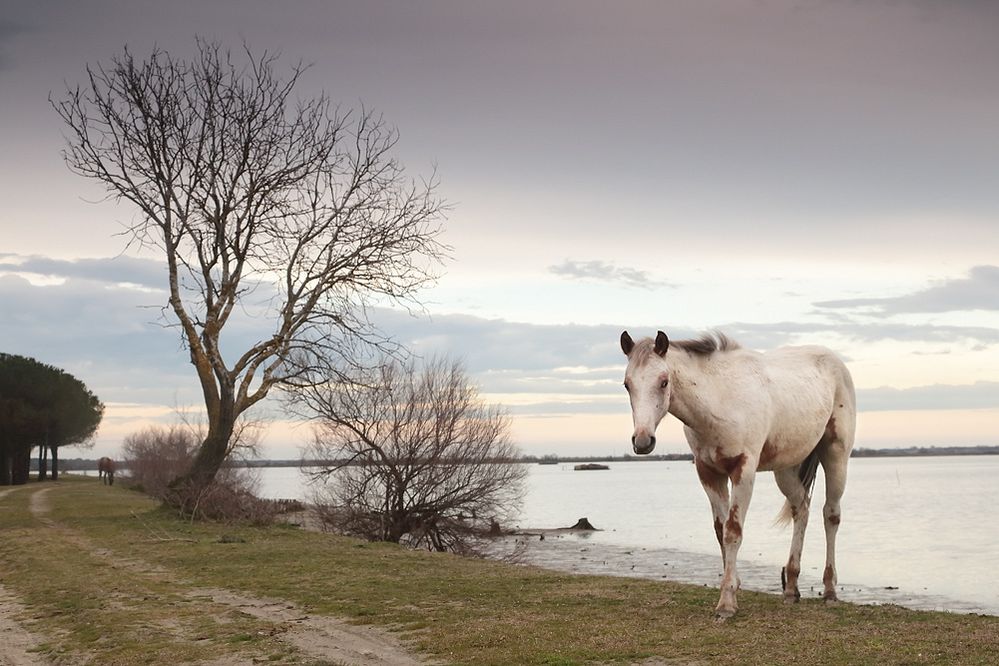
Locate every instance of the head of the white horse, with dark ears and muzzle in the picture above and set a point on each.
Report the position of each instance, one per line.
(647, 380)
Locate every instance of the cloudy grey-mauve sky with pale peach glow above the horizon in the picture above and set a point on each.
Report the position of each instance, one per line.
(786, 172)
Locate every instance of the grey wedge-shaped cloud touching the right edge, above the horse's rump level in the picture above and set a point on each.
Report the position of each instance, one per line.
(978, 291)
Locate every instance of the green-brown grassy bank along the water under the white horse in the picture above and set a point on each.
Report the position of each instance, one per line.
(106, 575)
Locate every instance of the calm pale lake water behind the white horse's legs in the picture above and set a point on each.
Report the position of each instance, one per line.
(920, 526)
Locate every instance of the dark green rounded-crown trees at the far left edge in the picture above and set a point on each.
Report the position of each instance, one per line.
(42, 406)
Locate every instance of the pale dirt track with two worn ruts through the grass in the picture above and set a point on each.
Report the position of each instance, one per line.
(320, 637)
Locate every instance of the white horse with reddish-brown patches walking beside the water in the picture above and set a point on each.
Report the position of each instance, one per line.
(784, 411)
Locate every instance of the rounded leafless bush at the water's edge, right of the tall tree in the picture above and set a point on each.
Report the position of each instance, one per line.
(413, 455)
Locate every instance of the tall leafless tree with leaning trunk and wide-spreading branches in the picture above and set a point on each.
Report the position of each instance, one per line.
(261, 202)
